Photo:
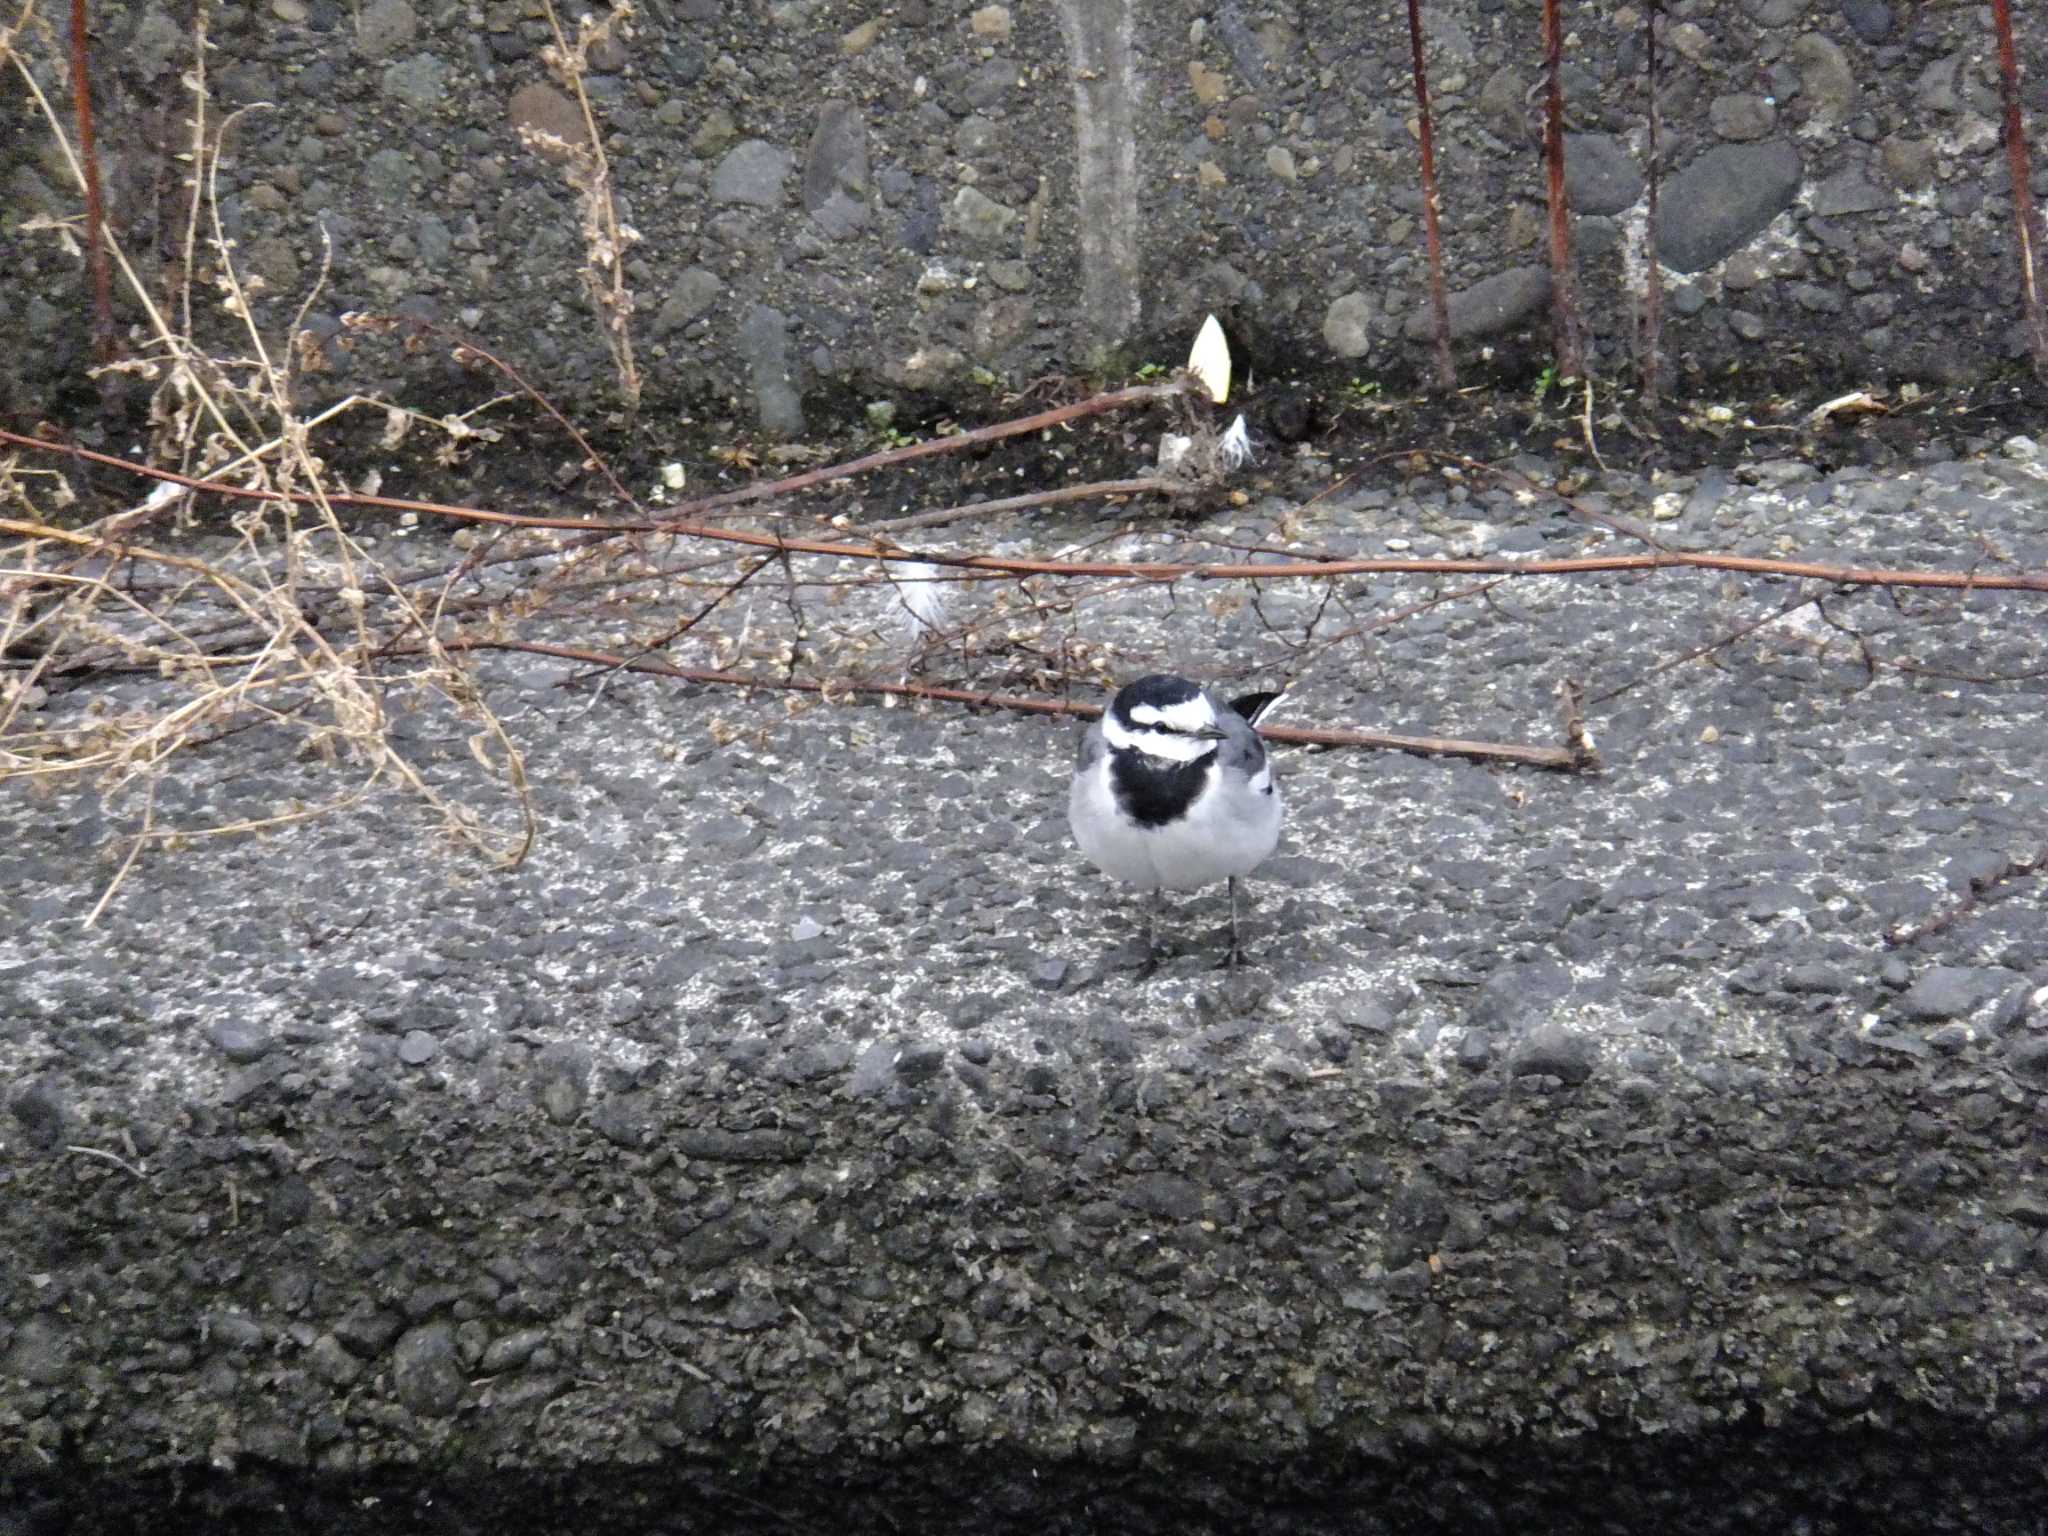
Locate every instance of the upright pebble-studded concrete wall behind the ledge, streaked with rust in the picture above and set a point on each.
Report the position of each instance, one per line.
(845, 202)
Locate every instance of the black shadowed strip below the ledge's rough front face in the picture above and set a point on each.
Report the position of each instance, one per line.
(1910, 1478)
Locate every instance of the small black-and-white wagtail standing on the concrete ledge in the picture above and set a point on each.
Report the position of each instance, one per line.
(1172, 792)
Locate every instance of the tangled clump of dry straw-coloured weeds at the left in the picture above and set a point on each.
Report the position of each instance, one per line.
(273, 624)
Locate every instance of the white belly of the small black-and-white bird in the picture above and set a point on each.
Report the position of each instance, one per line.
(1209, 845)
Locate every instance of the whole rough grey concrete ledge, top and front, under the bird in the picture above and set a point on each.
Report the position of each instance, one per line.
(794, 1142)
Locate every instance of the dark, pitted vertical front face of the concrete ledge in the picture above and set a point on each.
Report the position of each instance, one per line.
(1512, 1291)
